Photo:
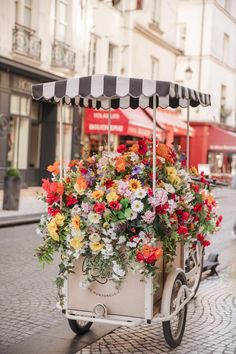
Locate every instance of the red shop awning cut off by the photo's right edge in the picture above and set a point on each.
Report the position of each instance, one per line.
(221, 139)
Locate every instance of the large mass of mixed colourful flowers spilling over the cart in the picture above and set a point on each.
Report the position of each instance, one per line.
(104, 210)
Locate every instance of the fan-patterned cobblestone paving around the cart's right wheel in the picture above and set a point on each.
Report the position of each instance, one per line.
(210, 326)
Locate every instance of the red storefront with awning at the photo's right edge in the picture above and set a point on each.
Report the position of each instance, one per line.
(215, 146)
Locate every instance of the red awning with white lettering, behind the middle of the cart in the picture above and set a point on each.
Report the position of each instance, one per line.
(133, 122)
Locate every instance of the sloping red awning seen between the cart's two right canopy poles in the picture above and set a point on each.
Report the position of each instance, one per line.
(170, 120)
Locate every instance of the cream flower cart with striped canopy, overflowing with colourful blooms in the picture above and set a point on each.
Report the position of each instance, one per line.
(123, 220)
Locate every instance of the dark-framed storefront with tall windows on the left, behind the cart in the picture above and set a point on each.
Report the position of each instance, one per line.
(29, 132)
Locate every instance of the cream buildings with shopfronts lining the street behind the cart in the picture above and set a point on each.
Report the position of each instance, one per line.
(192, 42)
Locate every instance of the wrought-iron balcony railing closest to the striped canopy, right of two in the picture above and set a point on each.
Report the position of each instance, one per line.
(62, 56)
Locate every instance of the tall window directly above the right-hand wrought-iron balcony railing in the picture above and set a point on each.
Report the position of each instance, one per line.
(61, 20)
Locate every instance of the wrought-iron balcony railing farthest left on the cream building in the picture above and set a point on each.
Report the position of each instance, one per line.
(26, 43)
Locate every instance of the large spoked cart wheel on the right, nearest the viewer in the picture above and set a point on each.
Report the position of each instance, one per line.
(174, 329)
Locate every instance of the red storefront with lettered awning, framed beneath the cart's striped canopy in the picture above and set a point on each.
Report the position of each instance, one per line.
(127, 126)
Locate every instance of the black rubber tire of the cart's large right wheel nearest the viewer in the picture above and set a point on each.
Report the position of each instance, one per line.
(172, 341)
